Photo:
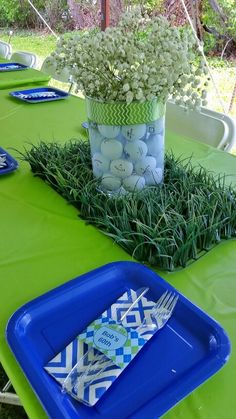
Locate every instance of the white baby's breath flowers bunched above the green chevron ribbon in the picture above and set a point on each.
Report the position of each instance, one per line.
(140, 59)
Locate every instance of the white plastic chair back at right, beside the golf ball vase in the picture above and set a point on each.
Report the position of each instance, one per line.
(213, 128)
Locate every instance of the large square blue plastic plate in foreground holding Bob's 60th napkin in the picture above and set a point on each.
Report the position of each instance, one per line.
(186, 352)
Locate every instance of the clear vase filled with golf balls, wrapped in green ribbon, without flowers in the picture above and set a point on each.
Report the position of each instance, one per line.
(127, 144)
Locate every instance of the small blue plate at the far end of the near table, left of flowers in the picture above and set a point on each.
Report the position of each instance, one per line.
(40, 94)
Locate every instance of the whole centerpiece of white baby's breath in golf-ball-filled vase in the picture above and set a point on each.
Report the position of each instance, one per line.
(127, 73)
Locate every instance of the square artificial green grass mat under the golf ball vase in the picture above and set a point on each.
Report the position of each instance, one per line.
(167, 226)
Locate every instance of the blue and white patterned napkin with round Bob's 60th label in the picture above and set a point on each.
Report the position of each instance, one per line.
(91, 379)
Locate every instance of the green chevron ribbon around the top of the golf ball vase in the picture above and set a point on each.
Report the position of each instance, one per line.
(121, 113)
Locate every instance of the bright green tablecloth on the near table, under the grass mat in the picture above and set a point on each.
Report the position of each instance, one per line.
(44, 244)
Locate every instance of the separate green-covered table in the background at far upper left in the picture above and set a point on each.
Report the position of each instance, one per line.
(12, 79)
